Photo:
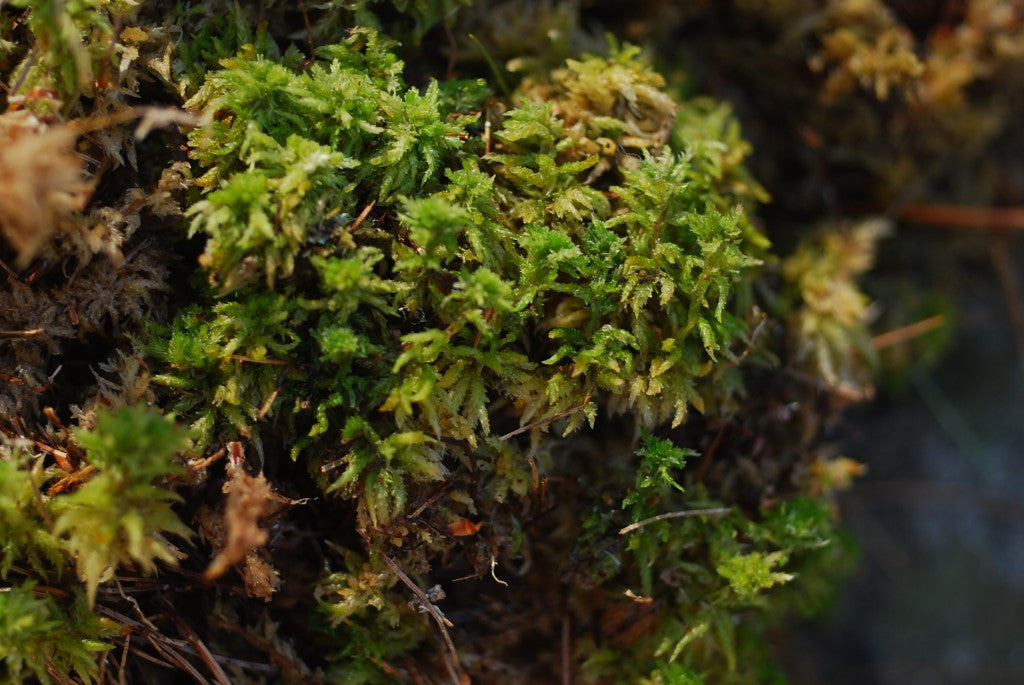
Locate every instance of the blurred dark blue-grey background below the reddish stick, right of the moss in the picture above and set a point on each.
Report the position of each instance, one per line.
(937, 595)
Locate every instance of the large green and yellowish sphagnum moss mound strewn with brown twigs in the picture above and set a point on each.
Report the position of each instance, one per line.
(533, 351)
